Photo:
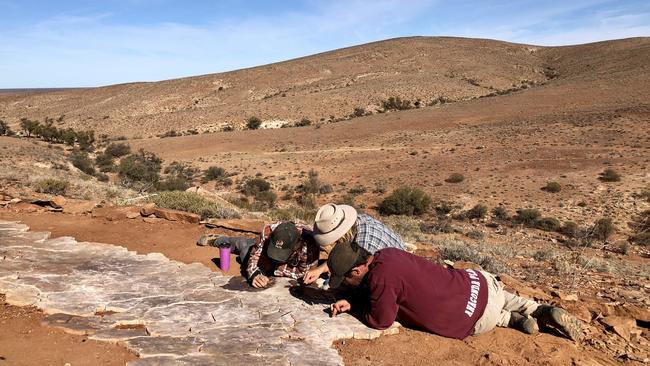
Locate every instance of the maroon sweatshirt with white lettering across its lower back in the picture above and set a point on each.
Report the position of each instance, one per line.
(424, 295)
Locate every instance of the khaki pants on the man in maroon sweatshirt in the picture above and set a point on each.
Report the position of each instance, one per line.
(499, 306)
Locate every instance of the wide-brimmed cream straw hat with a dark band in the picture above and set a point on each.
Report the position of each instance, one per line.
(332, 222)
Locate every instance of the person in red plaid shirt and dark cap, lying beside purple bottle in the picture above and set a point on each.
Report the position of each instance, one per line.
(283, 249)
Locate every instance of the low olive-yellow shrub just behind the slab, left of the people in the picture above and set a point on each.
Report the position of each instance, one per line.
(194, 203)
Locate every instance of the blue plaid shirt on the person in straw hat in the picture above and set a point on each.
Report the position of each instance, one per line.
(372, 235)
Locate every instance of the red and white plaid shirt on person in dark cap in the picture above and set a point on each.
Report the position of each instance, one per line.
(300, 260)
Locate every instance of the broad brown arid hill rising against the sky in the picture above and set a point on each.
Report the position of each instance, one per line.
(330, 85)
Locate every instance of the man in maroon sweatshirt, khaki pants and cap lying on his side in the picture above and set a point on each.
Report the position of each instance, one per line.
(392, 284)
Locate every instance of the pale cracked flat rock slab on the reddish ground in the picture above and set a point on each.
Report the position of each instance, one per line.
(166, 312)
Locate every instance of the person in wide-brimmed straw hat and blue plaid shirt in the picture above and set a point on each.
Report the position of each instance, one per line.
(336, 224)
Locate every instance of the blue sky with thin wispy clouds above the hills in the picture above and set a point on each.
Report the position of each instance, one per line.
(69, 43)
